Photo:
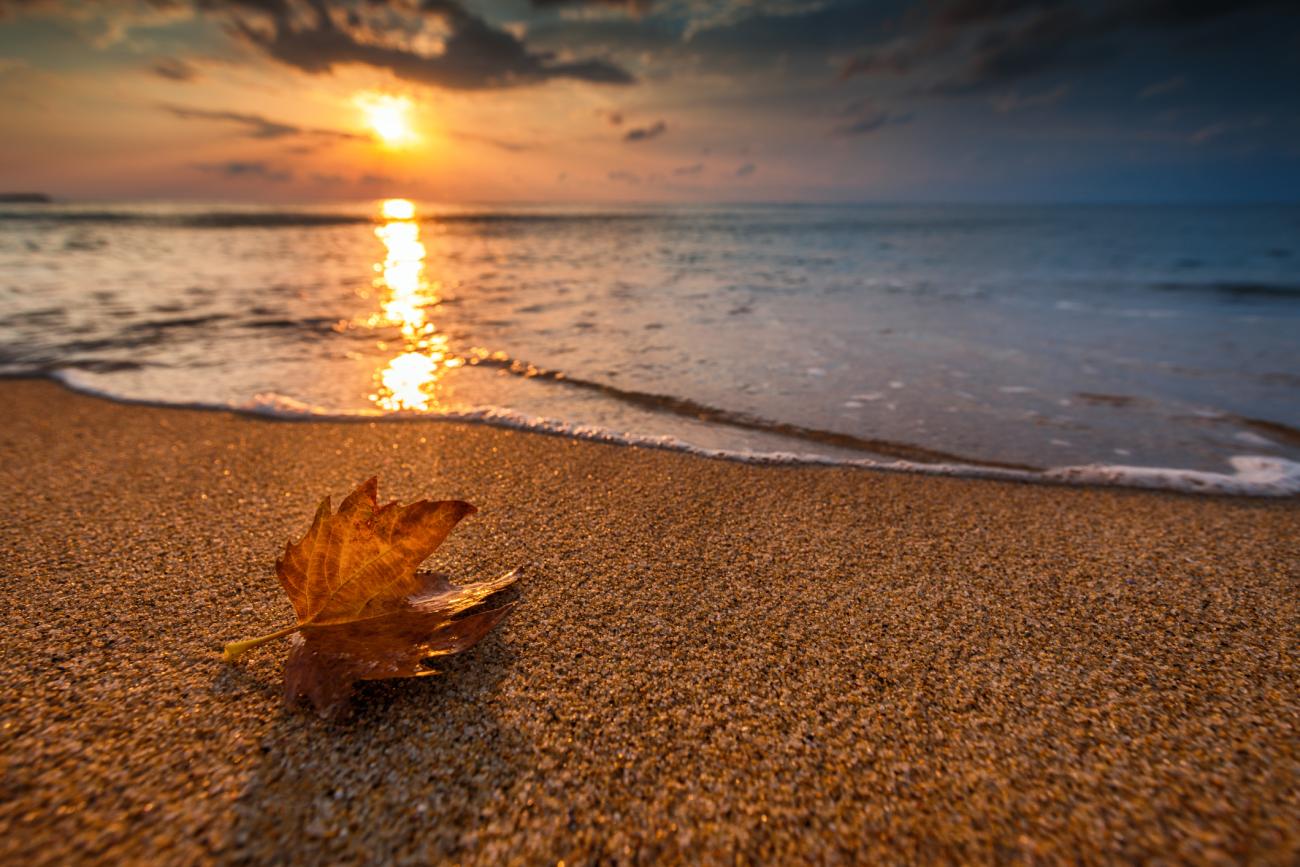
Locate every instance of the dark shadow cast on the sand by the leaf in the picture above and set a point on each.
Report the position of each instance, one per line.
(401, 779)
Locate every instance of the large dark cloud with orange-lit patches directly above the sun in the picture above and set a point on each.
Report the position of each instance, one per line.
(315, 37)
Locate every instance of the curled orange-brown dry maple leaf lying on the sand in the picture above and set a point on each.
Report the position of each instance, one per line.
(365, 613)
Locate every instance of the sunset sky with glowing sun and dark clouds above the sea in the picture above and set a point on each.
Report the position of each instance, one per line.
(652, 101)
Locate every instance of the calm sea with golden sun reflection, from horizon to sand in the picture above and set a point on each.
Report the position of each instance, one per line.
(1130, 345)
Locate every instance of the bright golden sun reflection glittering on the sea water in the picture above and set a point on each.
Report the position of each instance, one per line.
(410, 380)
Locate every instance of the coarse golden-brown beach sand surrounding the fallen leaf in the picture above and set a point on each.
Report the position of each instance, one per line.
(710, 662)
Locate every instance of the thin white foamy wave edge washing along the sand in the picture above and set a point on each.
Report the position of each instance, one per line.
(1255, 476)
